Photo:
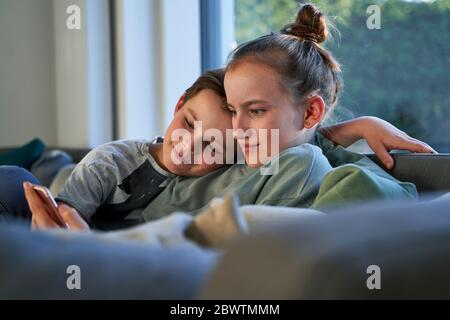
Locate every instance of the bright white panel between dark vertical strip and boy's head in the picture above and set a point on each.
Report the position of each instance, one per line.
(158, 57)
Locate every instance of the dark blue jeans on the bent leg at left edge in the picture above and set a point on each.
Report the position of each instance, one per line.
(13, 204)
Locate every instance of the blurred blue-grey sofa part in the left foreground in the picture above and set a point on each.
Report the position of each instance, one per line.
(33, 265)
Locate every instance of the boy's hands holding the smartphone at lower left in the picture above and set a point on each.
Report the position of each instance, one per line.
(41, 218)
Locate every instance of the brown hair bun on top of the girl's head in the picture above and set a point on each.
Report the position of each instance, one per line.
(309, 25)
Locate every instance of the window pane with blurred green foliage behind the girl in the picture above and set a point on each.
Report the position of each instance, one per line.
(399, 73)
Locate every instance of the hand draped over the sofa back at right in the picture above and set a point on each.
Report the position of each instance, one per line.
(382, 137)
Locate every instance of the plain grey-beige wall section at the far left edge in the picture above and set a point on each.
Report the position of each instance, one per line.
(27, 82)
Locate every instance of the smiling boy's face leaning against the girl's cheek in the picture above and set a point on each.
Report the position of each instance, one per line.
(184, 151)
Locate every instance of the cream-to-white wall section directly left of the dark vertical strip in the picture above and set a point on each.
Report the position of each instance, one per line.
(83, 79)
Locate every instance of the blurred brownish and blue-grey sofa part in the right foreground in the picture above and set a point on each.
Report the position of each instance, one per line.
(326, 257)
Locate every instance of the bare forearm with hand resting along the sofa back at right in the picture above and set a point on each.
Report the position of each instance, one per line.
(380, 135)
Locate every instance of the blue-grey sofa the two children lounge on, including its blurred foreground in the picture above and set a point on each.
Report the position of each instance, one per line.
(301, 256)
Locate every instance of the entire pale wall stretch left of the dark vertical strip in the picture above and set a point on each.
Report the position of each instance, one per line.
(55, 83)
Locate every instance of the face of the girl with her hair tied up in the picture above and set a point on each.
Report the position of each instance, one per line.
(257, 100)
